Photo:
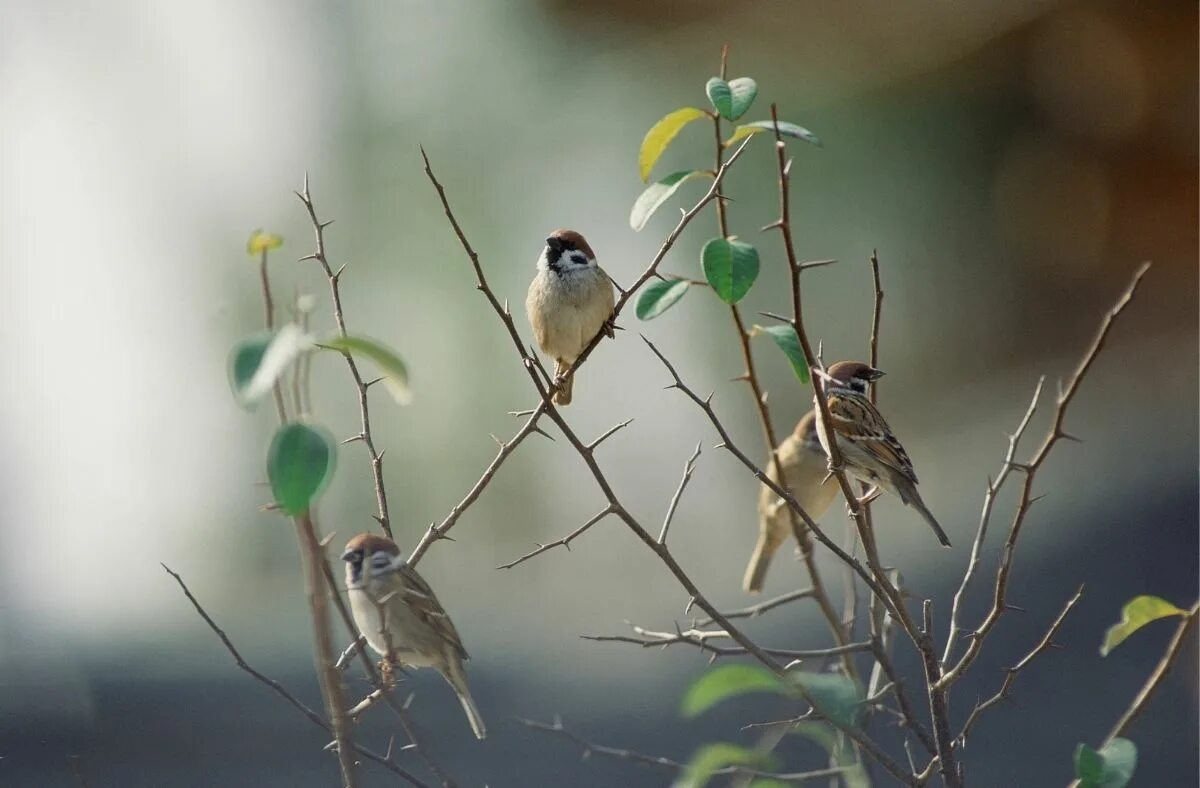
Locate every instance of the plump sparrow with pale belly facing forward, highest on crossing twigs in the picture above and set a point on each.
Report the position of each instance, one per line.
(571, 302)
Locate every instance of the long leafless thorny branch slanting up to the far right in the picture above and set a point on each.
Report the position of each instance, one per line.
(1027, 497)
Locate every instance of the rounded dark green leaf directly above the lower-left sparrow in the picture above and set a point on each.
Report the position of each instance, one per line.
(299, 464)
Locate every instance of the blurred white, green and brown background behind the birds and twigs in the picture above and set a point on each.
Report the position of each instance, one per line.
(1012, 164)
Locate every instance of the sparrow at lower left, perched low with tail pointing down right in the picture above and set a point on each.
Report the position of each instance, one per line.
(401, 618)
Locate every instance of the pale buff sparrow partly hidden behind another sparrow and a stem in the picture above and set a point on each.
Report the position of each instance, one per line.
(807, 472)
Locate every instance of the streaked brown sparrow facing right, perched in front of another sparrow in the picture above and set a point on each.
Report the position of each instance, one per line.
(868, 447)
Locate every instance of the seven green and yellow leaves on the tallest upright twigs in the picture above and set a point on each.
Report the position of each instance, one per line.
(730, 267)
